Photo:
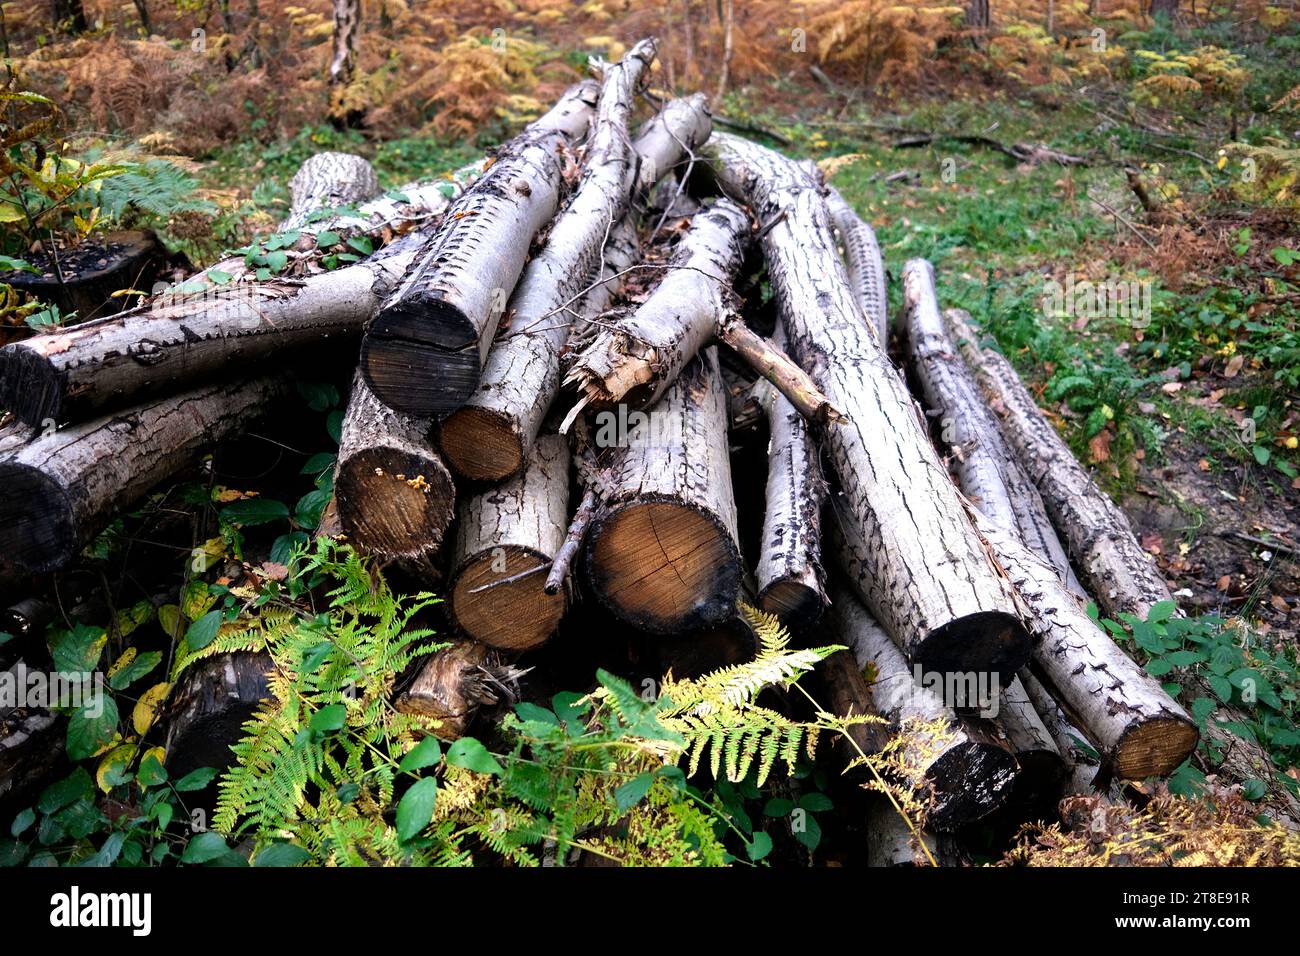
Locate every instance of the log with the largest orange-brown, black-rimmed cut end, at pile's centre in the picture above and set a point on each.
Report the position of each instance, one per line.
(664, 553)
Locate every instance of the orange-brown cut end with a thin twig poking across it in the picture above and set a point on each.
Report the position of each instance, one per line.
(515, 615)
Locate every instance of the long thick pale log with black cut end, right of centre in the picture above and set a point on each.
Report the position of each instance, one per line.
(921, 569)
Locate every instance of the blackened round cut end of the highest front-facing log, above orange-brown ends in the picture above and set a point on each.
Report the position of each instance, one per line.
(422, 358)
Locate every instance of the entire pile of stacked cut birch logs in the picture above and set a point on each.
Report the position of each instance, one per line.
(552, 348)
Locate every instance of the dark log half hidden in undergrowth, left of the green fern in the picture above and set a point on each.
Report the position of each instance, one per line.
(216, 698)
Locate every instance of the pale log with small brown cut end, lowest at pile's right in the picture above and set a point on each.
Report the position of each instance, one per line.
(1138, 729)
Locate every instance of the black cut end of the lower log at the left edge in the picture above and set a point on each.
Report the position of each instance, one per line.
(38, 531)
